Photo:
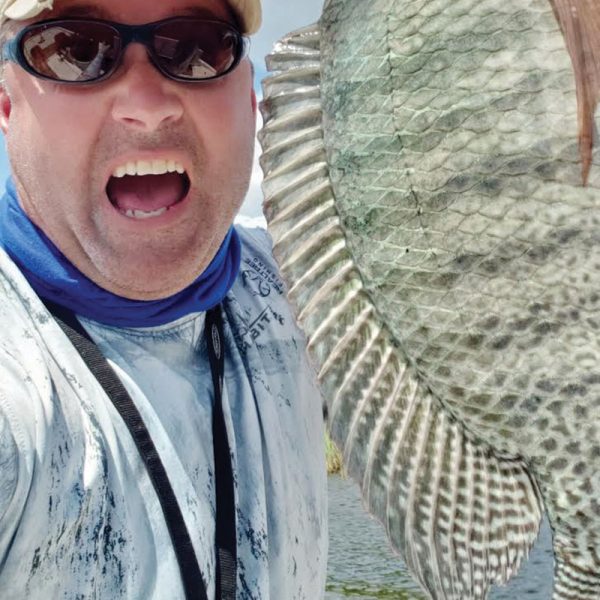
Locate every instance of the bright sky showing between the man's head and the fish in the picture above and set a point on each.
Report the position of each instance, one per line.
(279, 18)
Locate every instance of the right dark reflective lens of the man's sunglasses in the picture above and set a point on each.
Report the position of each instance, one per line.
(195, 50)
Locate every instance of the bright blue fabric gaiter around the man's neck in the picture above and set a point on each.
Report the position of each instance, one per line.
(53, 277)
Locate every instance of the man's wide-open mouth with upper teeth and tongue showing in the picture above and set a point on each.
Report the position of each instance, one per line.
(145, 189)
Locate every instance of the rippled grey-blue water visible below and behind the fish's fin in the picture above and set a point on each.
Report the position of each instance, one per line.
(362, 566)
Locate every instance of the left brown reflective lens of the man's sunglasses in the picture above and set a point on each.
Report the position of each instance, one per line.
(71, 50)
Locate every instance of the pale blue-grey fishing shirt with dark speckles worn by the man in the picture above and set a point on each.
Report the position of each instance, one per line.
(79, 517)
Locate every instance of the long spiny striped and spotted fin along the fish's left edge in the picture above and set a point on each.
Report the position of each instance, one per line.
(461, 516)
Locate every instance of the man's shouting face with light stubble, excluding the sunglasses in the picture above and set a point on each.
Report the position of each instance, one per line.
(65, 142)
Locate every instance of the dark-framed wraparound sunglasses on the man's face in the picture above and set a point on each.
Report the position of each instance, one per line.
(81, 51)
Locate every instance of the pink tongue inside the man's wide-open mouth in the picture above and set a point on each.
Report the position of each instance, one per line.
(147, 192)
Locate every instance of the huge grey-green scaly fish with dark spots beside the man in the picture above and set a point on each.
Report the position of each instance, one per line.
(434, 199)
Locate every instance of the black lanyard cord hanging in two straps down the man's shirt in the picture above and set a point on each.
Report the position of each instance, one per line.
(225, 533)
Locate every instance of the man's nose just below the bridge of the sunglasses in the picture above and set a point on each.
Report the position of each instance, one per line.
(145, 99)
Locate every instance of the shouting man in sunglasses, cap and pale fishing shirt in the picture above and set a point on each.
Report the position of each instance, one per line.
(127, 172)
